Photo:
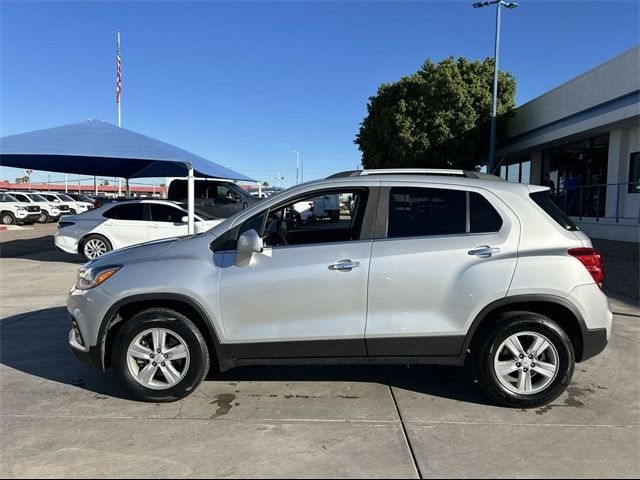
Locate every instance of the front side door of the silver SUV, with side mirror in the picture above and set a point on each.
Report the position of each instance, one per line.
(306, 297)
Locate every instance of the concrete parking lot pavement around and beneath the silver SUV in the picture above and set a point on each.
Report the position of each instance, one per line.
(59, 418)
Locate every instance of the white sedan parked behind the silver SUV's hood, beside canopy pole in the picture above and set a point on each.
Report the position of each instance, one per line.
(121, 224)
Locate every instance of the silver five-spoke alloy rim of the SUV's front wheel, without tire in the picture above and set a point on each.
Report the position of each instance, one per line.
(158, 359)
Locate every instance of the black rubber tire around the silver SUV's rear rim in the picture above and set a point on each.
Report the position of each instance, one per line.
(484, 351)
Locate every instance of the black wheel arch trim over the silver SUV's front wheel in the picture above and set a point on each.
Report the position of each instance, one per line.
(124, 309)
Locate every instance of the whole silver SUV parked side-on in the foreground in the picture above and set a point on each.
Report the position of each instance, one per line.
(426, 267)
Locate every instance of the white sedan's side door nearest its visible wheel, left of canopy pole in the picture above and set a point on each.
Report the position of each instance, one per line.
(126, 224)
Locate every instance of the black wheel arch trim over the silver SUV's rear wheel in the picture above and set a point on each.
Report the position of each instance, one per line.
(558, 309)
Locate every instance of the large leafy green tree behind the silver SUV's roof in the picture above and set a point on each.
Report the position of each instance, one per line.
(439, 117)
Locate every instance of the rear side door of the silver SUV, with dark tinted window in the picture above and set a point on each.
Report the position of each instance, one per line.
(441, 253)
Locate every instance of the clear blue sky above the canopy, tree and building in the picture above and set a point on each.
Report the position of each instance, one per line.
(245, 84)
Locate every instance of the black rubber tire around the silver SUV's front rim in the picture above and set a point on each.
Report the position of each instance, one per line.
(168, 319)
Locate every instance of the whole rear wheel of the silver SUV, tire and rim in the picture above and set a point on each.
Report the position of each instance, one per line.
(526, 360)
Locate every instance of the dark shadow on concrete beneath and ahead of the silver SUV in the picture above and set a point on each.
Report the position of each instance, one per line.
(36, 343)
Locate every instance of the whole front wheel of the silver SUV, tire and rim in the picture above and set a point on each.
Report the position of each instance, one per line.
(159, 355)
